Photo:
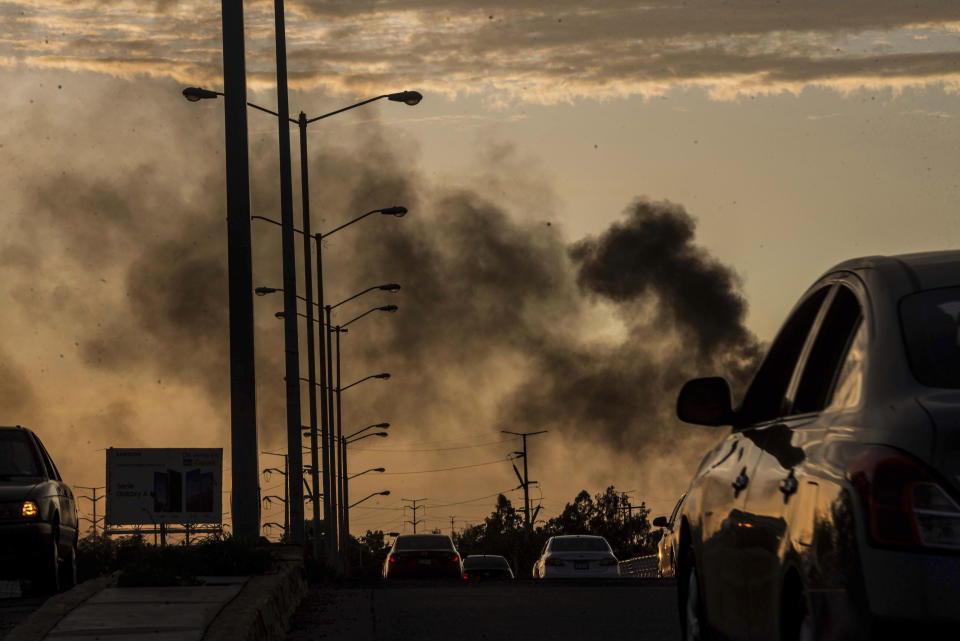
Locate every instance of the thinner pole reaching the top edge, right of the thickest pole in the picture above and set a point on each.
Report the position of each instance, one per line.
(290, 335)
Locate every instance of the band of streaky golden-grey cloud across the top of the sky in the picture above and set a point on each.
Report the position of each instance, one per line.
(508, 51)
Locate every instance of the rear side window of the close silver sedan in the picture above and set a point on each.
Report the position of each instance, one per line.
(824, 361)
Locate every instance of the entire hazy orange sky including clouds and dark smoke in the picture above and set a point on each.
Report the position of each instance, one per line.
(605, 201)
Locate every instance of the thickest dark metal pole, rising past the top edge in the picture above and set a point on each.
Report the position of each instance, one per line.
(245, 507)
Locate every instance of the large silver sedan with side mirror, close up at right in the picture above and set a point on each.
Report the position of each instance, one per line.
(831, 509)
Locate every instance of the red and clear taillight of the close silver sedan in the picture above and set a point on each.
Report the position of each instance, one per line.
(905, 503)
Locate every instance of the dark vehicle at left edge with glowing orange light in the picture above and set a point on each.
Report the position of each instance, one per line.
(38, 515)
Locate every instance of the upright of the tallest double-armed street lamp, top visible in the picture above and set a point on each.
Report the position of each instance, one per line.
(311, 363)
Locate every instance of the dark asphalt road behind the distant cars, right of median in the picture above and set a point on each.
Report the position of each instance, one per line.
(521, 611)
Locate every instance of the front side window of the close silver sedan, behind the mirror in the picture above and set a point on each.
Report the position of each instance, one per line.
(765, 396)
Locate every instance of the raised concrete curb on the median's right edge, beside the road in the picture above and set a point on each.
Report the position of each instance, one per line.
(262, 609)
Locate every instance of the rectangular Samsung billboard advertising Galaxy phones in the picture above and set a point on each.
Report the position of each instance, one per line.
(149, 486)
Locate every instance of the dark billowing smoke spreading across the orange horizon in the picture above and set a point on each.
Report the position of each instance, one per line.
(114, 264)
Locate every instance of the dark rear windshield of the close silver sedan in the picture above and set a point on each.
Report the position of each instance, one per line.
(930, 331)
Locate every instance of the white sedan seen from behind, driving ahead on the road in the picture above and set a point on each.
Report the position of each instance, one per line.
(576, 556)
